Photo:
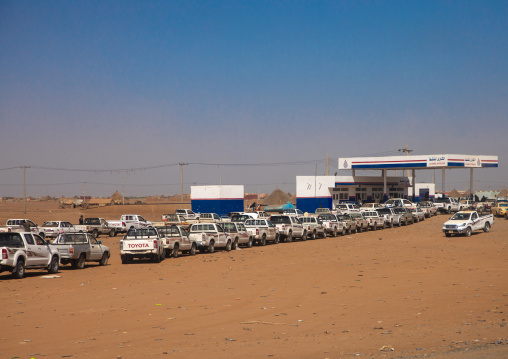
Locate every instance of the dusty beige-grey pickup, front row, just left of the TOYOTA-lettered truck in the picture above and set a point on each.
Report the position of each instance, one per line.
(78, 248)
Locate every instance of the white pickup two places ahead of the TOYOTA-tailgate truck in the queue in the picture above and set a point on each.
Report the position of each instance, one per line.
(210, 236)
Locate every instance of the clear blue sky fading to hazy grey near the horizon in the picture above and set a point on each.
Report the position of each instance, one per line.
(107, 85)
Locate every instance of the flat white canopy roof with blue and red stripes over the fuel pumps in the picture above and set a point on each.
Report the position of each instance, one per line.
(418, 162)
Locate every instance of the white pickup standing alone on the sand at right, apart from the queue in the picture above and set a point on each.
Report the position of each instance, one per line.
(465, 222)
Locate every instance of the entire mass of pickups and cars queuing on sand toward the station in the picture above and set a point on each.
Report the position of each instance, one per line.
(24, 245)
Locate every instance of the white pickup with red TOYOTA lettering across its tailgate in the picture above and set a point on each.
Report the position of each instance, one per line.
(142, 243)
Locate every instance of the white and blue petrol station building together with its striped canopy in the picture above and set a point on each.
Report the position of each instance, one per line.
(325, 191)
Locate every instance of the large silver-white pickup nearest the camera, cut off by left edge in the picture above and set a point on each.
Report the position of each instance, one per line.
(25, 250)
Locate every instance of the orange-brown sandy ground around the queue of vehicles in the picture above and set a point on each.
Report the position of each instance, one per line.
(402, 292)
